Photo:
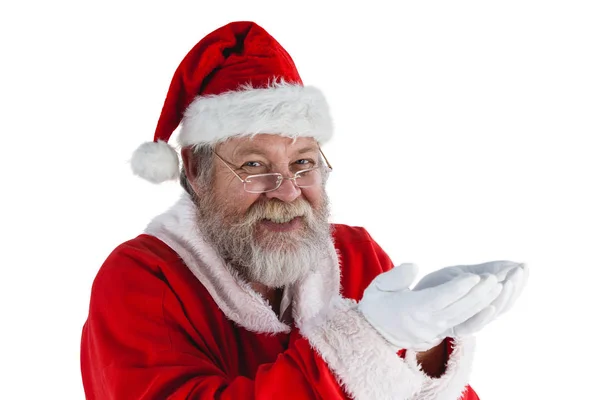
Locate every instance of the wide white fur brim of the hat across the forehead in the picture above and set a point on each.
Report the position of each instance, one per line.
(285, 109)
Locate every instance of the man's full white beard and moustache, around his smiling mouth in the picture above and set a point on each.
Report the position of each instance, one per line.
(279, 258)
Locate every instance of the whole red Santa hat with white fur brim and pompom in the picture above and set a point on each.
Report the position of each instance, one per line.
(238, 80)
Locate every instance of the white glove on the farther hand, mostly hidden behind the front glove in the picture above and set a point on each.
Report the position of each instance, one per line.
(512, 275)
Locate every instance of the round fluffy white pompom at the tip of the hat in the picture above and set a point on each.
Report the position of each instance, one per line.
(155, 162)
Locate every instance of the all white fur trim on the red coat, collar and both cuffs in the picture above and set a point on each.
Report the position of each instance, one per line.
(365, 364)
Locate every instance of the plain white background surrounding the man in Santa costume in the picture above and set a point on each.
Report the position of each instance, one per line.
(466, 131)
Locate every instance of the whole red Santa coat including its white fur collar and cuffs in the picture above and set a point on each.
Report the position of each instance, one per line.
(167, 319)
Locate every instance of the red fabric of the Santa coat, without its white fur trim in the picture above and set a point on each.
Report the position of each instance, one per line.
(154, 332)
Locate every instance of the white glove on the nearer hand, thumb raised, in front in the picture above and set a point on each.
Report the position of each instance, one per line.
(421, 319)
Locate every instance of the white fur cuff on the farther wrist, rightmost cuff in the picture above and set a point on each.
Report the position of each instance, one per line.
(452, 384)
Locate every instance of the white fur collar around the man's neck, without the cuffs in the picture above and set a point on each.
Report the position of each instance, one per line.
(238, 301)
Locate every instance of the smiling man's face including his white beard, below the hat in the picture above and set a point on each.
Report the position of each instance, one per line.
(272, 238)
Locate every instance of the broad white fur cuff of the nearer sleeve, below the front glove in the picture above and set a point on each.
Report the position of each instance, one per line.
(365, 364)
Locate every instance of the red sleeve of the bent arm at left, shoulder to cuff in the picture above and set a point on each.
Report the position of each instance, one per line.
(131, 349)
